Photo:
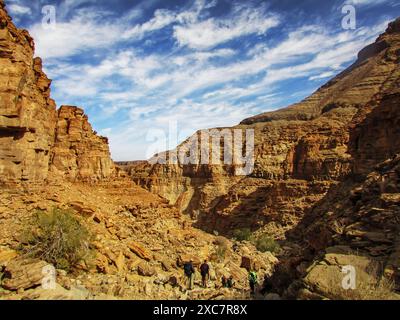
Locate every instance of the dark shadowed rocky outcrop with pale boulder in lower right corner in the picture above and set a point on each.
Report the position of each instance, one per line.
(359, 230)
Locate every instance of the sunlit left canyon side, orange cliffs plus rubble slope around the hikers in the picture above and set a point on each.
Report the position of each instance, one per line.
(52, 158)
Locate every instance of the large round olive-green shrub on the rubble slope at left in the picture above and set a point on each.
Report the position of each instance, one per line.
(57, 237)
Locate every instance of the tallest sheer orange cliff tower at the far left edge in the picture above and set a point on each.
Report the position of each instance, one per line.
(27, 113)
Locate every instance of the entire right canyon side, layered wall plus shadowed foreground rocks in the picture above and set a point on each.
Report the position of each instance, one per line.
(325, 181)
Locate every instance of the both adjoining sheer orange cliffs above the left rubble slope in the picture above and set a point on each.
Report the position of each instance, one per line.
(37, 142)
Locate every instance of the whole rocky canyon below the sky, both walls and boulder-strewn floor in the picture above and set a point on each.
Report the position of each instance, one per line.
(325, 187)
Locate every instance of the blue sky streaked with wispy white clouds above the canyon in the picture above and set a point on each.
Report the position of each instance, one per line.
(141, 66)
